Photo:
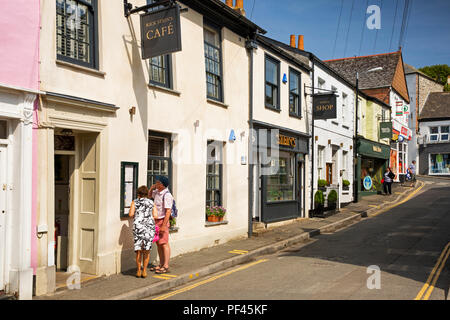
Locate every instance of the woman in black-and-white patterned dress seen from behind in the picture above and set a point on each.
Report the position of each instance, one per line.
(143, 229)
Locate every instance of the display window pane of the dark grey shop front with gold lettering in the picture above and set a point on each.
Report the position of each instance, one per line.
(281, 186)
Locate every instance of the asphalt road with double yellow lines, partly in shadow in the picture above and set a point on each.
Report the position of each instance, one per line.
(391, 256)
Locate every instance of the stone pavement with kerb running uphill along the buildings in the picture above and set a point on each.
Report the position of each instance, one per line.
(191, 266)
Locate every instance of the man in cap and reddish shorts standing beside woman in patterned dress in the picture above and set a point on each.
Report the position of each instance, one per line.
(163, 202)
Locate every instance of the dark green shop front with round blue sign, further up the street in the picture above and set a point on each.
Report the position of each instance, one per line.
(372, 162)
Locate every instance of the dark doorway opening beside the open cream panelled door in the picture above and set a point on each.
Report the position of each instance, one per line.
(64, 169)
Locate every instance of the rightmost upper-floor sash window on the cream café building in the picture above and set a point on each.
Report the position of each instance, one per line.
(213, 62)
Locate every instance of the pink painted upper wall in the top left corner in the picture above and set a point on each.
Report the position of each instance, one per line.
(19, 43)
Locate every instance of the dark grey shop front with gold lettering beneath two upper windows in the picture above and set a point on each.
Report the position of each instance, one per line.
(282, 173)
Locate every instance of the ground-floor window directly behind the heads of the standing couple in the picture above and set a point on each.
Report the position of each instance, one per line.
(159, 160)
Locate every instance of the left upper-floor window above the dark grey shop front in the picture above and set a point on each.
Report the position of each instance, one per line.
(272, 80)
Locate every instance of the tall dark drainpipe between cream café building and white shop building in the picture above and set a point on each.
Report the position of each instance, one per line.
(250, 45)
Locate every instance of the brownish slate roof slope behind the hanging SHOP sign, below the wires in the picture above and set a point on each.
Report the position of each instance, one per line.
(348, 67)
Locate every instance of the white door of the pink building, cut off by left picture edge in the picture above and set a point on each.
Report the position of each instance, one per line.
(3, 189)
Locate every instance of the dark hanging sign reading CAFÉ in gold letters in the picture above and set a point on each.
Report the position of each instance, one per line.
(161, 32)
